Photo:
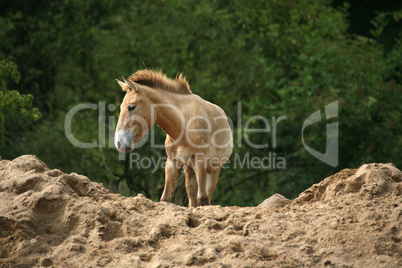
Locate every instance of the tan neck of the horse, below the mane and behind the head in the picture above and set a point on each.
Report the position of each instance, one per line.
(169, 115)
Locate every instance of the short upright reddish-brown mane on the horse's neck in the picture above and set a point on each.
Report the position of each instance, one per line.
(158, 80)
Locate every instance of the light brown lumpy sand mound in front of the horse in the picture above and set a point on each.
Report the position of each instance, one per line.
(48, 218)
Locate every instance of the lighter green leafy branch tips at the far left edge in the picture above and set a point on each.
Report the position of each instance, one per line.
(12, 102)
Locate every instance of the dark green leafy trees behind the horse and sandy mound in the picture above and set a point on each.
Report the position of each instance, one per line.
(278, 58)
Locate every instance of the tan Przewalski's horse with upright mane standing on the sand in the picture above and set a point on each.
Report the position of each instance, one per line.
(199, 138)
